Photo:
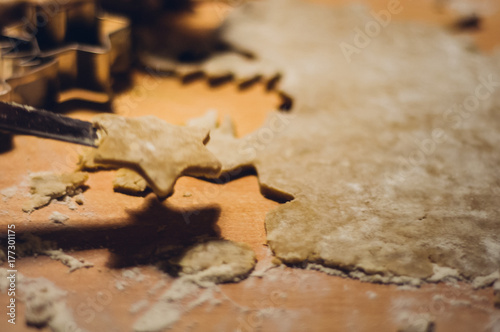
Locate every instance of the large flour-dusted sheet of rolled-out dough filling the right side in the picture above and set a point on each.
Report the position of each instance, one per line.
(391, 152)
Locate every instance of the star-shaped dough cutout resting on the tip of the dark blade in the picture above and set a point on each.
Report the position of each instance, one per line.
(158, 151)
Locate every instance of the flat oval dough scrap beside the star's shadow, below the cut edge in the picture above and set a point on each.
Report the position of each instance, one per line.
(218, 261)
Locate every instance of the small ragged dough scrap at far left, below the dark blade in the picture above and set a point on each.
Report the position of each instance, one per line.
(47, 186)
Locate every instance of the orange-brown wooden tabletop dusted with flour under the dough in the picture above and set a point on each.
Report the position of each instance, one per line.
(113, 229)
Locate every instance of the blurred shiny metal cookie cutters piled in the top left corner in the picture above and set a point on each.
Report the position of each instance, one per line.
(60, 50)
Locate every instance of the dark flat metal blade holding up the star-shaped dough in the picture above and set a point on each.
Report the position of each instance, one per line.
(26, 120)
